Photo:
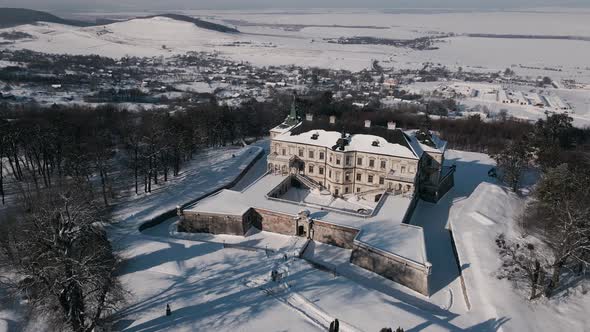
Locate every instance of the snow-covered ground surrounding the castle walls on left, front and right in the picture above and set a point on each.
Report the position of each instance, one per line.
(222, 283)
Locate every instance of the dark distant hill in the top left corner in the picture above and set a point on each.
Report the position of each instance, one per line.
(11, 17)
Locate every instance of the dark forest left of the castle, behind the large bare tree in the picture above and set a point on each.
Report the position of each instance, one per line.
(42, 147)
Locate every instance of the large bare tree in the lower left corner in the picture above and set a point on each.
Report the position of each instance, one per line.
(61, 259)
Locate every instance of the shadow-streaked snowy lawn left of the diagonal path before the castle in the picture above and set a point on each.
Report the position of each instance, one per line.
(205, 285)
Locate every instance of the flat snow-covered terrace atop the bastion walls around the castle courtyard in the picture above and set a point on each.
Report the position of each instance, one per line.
(384, 230)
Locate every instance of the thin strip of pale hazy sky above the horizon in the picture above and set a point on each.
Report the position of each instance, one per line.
(86, 5)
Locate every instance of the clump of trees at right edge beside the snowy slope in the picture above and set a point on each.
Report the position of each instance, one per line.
(559, 211)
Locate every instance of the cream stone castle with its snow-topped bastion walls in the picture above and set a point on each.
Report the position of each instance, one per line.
(354, 188)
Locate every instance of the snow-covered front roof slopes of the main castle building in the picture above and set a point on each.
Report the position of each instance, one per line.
(355, 143)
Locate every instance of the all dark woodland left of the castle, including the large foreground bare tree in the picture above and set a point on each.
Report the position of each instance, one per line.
(65, 161)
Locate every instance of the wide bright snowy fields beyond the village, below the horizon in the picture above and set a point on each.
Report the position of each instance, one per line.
(297, 37)
